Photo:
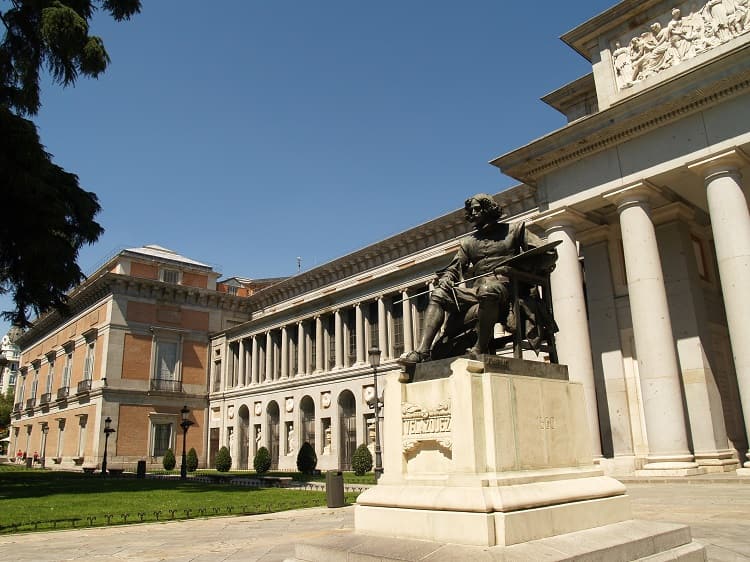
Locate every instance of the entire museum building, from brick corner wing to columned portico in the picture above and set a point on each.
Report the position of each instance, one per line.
(645, 189)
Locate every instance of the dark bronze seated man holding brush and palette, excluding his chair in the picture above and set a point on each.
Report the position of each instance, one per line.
(487, 301)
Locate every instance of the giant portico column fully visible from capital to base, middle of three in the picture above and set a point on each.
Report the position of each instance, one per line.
(652, 330)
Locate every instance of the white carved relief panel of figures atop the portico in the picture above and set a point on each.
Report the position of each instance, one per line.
(687, 31)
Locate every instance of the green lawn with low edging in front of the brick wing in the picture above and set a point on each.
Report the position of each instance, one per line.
(38, 499)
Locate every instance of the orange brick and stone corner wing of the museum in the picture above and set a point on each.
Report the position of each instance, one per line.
(133, 349)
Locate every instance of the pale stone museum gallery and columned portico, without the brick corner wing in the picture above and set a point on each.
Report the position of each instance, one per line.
(643, 188)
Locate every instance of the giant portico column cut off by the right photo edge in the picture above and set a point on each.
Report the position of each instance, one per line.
(730, 223)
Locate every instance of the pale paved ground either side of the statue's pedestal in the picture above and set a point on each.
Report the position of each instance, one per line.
(717, 510)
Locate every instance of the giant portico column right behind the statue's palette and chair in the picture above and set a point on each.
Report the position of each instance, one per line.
(569, 305)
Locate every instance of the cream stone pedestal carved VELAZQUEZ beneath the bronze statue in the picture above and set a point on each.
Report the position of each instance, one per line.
(489, 453)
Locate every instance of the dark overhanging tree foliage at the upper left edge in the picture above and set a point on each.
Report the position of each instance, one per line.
(39, 248)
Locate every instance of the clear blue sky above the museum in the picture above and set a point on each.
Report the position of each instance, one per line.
(245, 133)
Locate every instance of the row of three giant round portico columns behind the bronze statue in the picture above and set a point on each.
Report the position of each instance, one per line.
(661, 364)
